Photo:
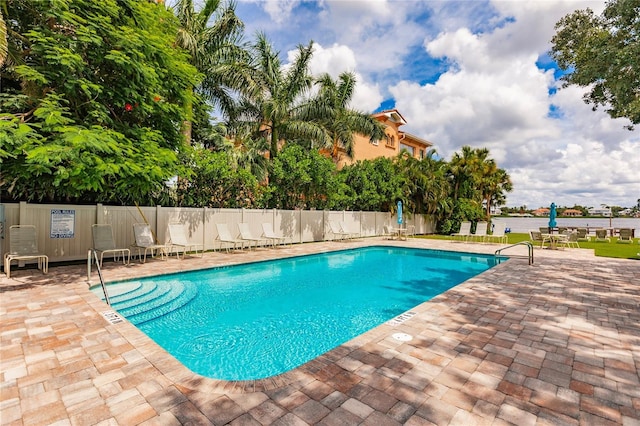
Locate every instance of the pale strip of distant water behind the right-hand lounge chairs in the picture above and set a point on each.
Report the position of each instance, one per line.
(525, 224)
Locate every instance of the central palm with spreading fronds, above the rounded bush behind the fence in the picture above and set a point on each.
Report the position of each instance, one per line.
(274, 103)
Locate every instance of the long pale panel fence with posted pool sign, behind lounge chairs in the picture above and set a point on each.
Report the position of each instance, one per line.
(64, 231)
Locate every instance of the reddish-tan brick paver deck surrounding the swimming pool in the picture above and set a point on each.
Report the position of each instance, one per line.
(556, 343)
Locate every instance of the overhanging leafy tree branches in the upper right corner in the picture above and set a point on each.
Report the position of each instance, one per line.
(603, 54)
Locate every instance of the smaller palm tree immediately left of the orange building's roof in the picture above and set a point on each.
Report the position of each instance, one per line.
(341, 122)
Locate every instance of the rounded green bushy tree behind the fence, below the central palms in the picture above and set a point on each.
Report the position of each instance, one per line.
(301, 179)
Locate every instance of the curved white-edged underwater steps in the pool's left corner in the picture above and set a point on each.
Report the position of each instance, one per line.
(142, 302)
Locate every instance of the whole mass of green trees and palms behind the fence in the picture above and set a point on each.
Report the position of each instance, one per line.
(111, 101)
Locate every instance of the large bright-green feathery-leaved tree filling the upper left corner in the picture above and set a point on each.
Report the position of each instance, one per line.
(92, 101)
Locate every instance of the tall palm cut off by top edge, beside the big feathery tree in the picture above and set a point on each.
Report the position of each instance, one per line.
(211, 36)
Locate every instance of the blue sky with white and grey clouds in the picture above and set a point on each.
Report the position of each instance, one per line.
(471, 73)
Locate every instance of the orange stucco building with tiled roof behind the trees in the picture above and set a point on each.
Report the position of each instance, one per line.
(395, 141)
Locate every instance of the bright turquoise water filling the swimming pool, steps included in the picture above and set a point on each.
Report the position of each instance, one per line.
(261, 319)
